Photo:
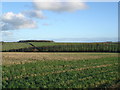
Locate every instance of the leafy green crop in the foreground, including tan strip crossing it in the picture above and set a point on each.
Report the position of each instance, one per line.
(62, 74)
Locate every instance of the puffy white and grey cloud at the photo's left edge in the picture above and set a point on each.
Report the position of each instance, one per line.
(11, 21)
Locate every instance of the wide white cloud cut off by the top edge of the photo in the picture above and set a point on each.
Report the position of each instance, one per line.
(52, 5)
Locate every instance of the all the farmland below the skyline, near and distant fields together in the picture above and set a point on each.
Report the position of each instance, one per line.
(60, 65)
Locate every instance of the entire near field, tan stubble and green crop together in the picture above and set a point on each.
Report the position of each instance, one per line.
(60, 70)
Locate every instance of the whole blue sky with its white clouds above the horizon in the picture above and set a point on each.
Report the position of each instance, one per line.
(60, 21)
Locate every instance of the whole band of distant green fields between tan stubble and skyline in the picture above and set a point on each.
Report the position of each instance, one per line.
(59, 47)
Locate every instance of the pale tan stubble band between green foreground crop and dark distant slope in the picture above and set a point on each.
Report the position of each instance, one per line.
(9, 58)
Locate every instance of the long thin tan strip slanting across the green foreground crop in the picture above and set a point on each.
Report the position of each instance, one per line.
(28, 74)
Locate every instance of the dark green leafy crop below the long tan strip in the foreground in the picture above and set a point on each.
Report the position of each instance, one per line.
(83, 78)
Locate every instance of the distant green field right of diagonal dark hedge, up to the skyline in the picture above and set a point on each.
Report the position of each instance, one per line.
(79, 47)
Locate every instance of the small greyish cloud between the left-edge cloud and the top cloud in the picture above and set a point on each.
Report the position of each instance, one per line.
(34, 14)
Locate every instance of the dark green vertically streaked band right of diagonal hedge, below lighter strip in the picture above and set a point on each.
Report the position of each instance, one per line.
(79, 48)
